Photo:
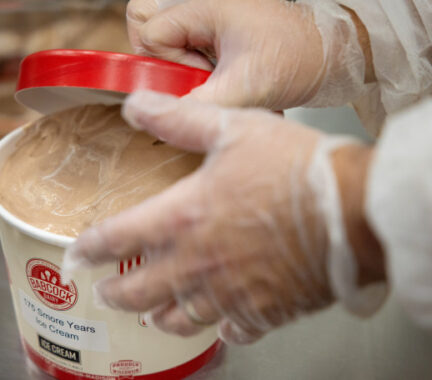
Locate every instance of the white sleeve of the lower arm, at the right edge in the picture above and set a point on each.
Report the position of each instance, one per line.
(399, 207)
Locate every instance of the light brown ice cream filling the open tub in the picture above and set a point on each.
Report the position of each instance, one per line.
(75, 168)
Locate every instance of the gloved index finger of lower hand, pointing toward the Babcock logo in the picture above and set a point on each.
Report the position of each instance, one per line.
(149, 226)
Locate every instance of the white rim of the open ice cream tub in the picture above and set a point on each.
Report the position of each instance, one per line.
(34, 232)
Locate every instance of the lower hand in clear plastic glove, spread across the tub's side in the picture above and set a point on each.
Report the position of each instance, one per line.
(240, 242)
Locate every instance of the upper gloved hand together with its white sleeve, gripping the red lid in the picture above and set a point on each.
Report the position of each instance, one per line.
(278, 54)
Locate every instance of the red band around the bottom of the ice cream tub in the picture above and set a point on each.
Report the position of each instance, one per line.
(176, 373)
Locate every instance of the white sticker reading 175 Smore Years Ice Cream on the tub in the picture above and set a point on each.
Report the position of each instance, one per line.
(74, 332)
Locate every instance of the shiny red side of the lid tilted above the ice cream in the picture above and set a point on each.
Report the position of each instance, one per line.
(118, 72)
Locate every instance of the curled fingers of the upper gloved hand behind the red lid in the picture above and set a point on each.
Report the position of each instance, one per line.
(173, 32)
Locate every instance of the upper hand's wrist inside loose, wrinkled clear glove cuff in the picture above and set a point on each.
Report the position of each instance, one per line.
(346, 61)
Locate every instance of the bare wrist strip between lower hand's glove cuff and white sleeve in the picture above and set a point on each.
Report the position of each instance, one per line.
(351, 165)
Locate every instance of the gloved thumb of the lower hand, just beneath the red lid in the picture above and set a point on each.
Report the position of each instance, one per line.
(184, 123)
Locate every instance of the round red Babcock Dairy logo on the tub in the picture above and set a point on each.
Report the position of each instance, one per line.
(45, 280)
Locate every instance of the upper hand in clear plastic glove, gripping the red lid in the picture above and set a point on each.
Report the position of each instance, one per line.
(273, 54)
